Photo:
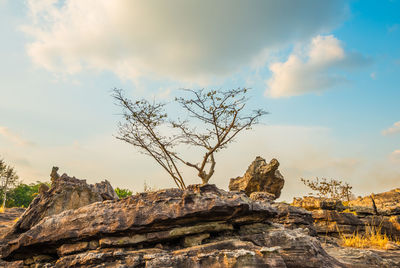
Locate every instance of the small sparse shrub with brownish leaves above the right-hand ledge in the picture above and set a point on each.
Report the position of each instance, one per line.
(330, 189)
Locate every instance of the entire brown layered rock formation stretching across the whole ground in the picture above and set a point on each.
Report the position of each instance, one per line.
(202, 226)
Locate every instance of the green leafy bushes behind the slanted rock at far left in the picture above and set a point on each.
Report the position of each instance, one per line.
(23, 194)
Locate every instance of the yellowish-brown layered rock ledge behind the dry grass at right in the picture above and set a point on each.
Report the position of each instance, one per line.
(331, 217)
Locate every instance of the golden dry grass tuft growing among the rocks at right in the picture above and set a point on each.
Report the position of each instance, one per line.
(373, 238)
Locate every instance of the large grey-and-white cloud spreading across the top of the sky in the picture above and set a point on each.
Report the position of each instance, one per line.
(177, 39)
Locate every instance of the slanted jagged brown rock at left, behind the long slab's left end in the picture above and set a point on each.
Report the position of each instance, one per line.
(66, 193)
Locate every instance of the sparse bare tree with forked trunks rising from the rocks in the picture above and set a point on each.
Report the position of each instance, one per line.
(220, 114)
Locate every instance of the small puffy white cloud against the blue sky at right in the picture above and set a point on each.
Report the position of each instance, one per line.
(312, 69)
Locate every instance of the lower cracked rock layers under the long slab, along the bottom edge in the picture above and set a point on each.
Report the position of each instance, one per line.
(281, 248)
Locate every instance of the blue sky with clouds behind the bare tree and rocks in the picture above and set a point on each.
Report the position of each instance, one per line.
(328, 73)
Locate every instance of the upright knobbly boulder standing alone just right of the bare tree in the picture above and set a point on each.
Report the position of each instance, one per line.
(260, 177)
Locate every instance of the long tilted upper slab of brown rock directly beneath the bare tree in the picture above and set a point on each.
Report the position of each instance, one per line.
(151, 212)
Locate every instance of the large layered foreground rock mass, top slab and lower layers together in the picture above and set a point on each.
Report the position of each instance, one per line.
(202, 226)
